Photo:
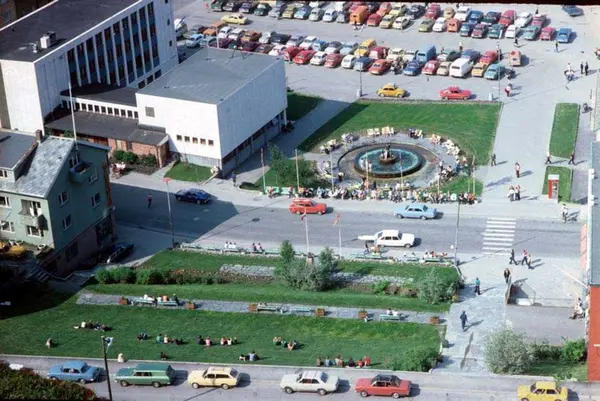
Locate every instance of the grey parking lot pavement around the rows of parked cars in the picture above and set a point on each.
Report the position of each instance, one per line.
(542, 70)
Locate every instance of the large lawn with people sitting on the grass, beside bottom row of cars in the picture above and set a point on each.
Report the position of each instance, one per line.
(28, 328)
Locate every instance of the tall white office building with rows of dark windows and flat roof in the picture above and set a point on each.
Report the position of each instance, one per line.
(114, 42)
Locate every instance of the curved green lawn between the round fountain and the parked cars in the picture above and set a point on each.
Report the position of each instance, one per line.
(471, 126)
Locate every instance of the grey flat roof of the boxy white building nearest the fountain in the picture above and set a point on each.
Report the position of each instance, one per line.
(210, 75)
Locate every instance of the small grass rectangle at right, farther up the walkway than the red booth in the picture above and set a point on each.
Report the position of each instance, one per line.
(564, 129)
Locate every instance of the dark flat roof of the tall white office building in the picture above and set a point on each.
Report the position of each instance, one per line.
(68, 18)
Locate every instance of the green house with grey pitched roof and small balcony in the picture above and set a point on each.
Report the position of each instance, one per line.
(55, 192)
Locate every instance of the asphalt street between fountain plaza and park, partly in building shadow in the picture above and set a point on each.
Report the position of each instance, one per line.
(223, 221)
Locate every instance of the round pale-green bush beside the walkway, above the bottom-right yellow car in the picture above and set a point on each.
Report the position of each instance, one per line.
(506, 352)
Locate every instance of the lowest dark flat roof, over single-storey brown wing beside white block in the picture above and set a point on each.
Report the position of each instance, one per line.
(101, 125)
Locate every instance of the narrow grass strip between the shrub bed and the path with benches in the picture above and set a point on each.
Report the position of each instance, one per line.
(275, 293)
